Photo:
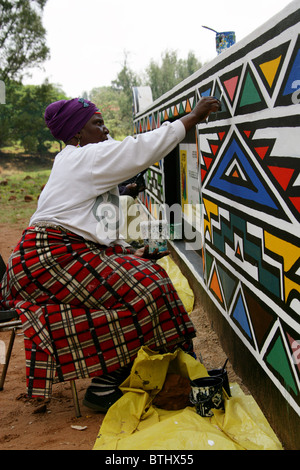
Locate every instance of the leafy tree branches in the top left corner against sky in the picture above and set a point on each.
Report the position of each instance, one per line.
(22, 37)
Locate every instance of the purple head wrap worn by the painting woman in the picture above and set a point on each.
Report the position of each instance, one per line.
(65, 118)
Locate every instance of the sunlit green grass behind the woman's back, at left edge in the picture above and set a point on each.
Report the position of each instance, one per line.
(19, 192)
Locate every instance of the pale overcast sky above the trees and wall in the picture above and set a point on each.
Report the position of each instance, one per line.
(87, 38)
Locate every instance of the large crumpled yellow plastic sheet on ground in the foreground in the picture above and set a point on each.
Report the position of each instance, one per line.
(134, 423)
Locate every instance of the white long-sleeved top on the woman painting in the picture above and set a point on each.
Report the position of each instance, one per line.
(82, 193)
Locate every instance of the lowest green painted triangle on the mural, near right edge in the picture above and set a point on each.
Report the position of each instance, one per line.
(277, 358)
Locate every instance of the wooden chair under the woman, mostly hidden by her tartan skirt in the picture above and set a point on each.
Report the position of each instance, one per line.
(9, 321)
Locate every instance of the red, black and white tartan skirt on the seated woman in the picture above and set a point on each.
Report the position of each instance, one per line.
(87, 309)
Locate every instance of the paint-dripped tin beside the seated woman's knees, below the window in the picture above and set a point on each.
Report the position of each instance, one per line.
(155, 235)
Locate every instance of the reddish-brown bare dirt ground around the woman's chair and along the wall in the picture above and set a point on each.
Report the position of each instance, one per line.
(35, 425)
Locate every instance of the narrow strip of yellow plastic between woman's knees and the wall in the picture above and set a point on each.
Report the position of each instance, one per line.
(180, 282)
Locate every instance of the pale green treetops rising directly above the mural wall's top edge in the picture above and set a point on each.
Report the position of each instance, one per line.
(162, 78)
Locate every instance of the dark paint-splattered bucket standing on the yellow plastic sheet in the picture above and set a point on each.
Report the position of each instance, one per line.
(207, 394)
